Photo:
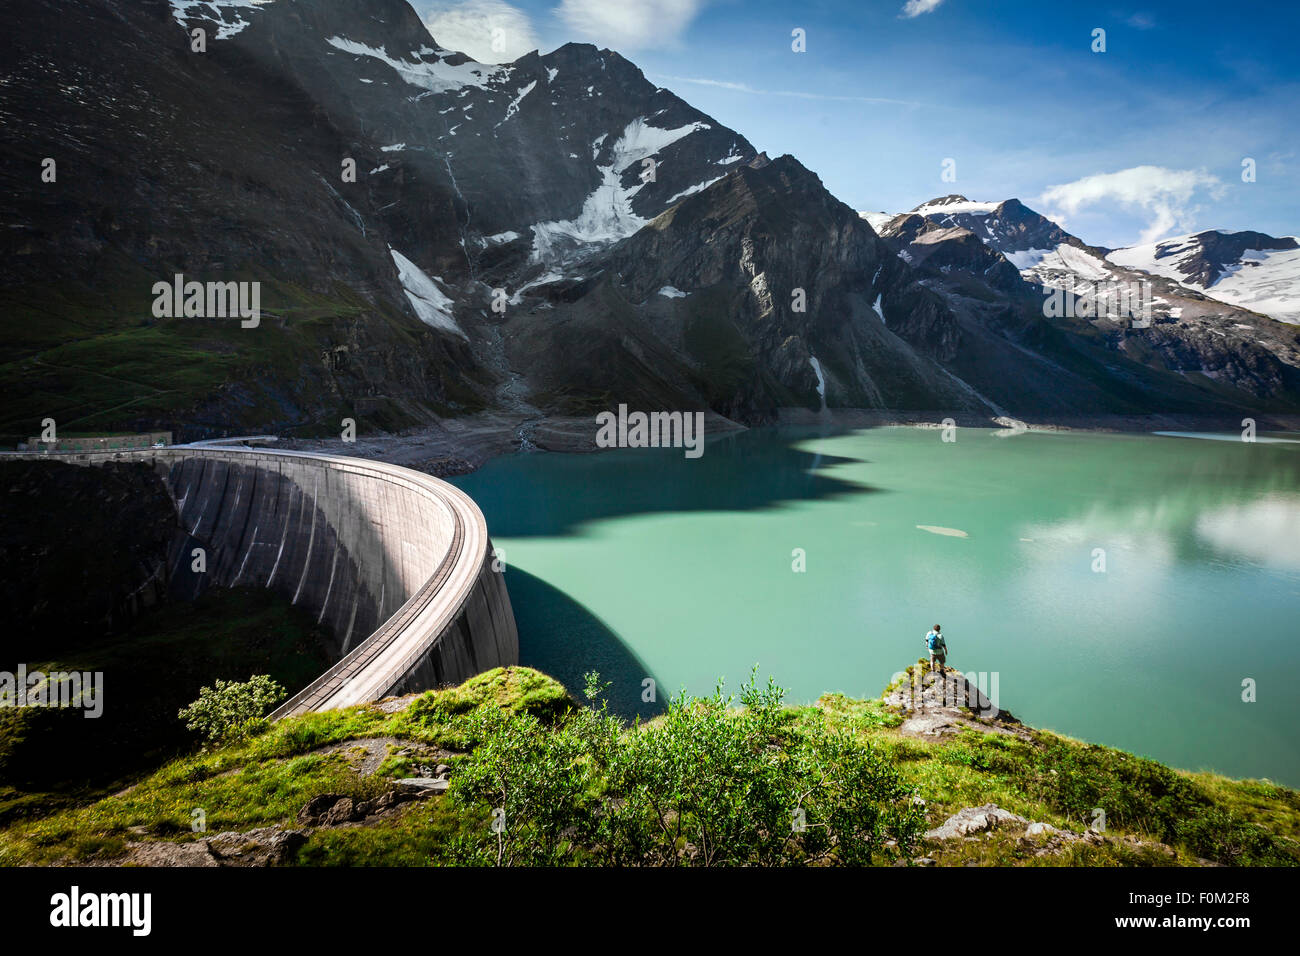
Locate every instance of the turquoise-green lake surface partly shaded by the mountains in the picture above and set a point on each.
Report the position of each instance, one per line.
(643, 564)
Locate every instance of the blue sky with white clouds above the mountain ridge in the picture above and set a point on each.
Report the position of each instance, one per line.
(1138, 142)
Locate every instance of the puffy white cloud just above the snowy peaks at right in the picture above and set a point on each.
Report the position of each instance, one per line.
(1165, 196)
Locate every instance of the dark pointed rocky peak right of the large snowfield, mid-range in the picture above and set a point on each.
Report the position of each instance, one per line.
(778, 272)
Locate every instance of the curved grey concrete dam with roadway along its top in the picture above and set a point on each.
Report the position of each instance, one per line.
(396, 563)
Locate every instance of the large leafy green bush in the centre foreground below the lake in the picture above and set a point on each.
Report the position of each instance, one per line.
(705, 785)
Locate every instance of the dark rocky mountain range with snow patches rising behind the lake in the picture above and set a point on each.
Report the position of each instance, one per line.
(397, 192)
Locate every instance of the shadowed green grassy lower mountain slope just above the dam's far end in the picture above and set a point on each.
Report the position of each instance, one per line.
(97, 360)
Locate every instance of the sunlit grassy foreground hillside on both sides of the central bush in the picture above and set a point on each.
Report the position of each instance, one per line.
(270, 778)
